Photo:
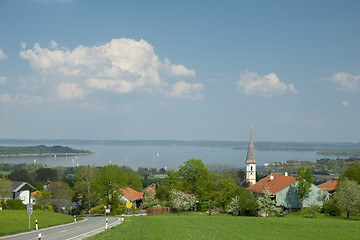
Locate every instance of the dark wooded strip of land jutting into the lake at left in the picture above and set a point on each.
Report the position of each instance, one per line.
(40, 150)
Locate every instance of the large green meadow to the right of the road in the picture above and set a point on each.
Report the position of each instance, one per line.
(201, 226)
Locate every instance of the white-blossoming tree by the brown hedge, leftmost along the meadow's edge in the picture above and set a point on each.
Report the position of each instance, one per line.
(182, 201)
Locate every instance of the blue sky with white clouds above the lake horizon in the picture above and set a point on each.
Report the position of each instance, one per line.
(180, 70)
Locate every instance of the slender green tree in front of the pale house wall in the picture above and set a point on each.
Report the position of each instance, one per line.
(304, 185)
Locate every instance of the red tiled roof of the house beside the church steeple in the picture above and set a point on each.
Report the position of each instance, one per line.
(276, 184)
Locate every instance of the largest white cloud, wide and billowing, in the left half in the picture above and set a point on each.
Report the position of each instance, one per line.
(120, 66)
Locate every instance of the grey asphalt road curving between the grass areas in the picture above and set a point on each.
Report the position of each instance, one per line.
(89, 226)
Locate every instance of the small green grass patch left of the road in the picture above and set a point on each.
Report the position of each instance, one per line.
(16, 221)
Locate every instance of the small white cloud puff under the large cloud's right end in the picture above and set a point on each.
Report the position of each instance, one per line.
(186, 90)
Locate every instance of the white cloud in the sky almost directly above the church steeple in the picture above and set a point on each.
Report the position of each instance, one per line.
(269, 85)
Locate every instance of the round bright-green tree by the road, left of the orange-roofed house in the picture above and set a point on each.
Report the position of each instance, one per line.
(108, 182)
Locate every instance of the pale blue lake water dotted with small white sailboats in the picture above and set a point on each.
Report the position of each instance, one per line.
(154, 155)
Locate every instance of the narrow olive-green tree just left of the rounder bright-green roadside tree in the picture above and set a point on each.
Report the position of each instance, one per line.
(85, 186)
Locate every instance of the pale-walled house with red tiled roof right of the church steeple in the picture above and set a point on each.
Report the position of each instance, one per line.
(284, 190)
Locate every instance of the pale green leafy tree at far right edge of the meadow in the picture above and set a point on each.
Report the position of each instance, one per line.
(348, 196)
